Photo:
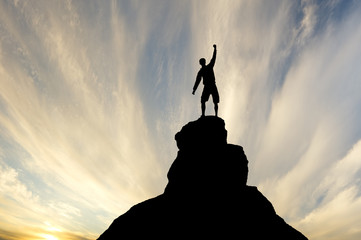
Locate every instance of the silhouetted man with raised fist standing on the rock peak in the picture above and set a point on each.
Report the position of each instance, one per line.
(209, 82)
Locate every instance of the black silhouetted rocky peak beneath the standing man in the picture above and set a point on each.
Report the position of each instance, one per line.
(206, 196)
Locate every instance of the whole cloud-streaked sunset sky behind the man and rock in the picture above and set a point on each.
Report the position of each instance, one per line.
(93, 92)
